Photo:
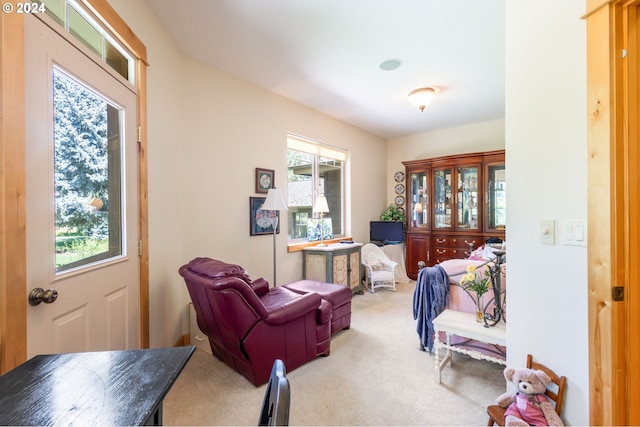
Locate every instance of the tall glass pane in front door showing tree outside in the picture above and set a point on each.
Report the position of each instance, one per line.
(87, 174)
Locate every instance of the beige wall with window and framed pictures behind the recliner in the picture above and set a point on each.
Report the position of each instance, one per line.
(208, 131)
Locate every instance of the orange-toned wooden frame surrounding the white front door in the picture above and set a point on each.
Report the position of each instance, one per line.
(13, 262)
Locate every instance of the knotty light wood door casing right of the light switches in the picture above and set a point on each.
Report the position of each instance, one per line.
(599, 135)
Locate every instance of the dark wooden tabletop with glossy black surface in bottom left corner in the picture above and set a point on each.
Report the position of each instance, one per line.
(98, 388)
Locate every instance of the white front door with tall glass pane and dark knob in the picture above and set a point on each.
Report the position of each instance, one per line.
(81, 200)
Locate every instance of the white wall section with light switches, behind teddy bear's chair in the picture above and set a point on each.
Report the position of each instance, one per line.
(546, 118)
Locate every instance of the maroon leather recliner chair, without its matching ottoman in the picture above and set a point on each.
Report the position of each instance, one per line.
(250, 325)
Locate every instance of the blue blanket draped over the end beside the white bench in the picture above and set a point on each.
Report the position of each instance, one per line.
(430, 298)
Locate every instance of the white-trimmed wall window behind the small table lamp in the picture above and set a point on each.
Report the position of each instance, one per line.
(314, 169)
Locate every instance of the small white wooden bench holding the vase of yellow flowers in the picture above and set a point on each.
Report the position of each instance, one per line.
(462, 324)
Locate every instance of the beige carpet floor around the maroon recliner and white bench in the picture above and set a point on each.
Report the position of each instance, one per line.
(375, 375)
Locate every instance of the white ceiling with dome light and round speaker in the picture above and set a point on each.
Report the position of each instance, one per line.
(326, 54)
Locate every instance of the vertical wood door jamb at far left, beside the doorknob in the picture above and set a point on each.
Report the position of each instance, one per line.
(13, 310)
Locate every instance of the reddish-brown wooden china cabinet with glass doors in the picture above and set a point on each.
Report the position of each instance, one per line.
(454, 204)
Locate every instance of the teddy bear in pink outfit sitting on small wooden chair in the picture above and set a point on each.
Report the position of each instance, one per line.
(529, 405)
